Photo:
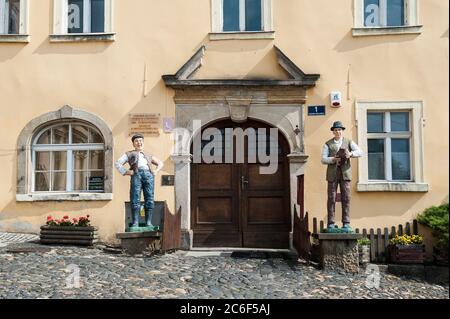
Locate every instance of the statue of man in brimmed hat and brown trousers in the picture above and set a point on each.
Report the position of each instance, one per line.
(336, 154)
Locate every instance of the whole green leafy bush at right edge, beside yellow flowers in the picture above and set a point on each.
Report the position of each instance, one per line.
(436, 217)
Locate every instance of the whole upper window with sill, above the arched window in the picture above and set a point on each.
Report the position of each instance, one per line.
(76, 20)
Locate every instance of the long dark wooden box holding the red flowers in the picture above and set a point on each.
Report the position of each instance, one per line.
(72, 235)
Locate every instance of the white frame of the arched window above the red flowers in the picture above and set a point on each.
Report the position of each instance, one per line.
(69, 148)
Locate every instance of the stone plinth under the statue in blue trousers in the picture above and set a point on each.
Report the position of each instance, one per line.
(137, 242)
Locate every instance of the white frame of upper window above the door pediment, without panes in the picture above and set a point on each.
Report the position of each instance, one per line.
(217, 32)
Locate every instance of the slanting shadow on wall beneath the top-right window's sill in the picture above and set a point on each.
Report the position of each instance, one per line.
(351, 43)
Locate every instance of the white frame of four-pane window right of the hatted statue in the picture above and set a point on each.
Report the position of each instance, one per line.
(416, 119)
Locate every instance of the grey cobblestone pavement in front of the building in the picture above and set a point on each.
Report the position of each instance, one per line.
(48, 272)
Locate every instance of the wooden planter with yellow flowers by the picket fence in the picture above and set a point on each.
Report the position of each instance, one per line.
(406, 249)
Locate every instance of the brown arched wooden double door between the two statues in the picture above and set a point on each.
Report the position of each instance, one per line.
(232, 204)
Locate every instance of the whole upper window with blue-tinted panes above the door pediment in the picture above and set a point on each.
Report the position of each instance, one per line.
(242, 16)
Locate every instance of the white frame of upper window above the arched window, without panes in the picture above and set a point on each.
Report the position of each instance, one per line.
(60, 13)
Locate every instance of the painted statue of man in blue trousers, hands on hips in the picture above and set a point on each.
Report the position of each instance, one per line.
(142, 178)
